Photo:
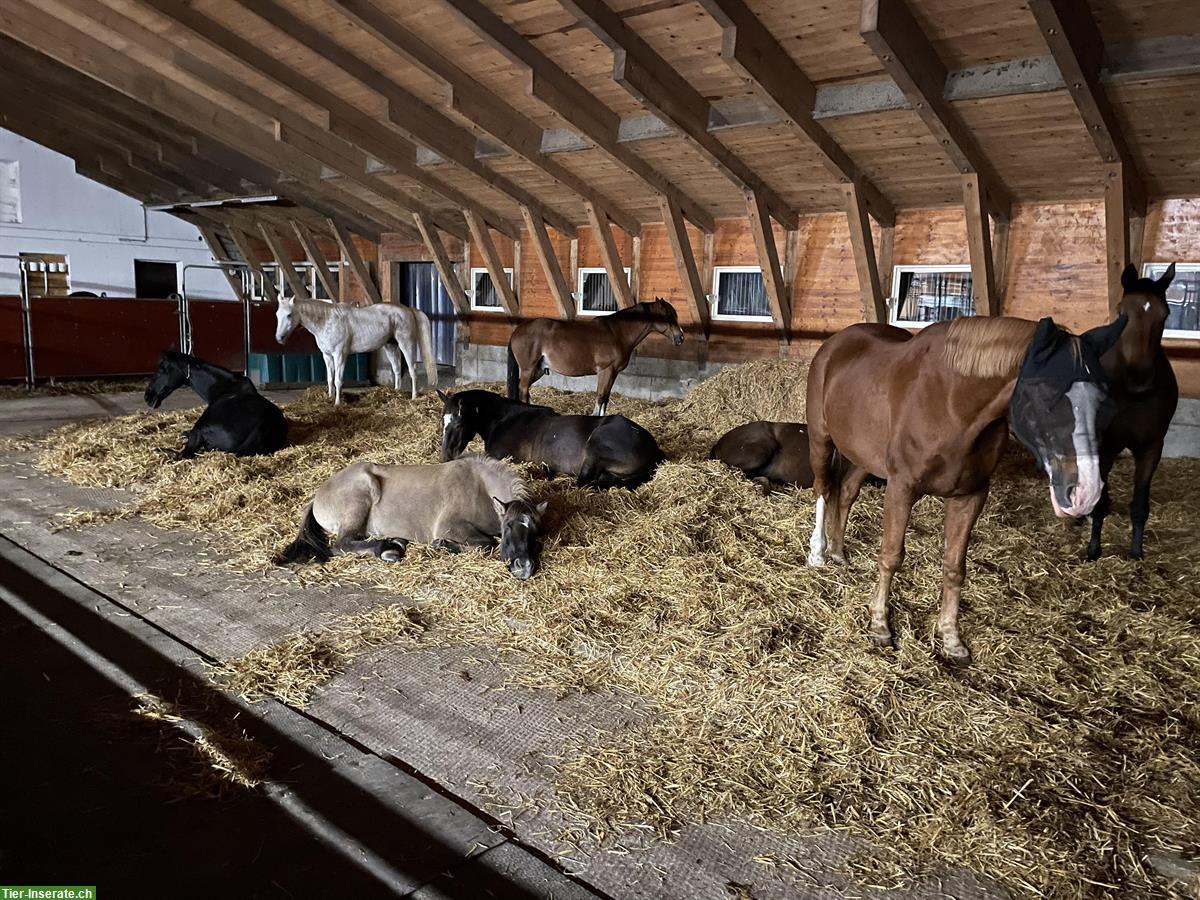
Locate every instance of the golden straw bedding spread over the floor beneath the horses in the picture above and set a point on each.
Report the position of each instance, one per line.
(1055, 765)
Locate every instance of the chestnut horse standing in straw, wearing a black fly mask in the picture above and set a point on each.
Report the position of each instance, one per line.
(928, 413)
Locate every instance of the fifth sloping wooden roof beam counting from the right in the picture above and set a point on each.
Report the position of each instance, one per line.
(573, 103)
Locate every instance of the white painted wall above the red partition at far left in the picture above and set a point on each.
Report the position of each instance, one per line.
(100, 231)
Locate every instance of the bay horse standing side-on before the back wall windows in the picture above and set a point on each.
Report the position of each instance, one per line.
(601, 347)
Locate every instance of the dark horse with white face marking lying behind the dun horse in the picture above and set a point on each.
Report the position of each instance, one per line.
(599, 451)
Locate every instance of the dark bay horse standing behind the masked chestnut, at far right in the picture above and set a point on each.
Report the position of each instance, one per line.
(1145, 391)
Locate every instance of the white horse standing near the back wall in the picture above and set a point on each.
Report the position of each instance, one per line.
(341, 331)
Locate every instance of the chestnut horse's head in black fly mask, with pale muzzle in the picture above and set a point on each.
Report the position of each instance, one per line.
(1061, 405)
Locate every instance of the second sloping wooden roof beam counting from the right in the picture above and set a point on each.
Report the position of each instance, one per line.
(907, 55)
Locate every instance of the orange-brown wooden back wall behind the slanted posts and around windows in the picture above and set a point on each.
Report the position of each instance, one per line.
(1055, 268)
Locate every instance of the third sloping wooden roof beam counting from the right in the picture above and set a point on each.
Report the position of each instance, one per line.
(754, 53)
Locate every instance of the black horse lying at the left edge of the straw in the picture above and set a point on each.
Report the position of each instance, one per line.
(239, 421)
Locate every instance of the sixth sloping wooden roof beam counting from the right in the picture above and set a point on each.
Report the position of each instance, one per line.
(475, 103)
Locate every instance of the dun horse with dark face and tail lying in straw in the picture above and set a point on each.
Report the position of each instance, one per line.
(466, 503)
